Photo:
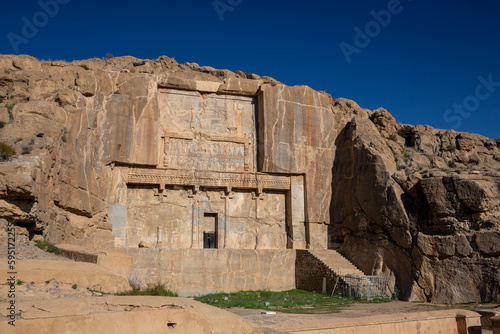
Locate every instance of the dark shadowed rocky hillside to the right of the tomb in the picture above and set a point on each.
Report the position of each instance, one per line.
(419, 204)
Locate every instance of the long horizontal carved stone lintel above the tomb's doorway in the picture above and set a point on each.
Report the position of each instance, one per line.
(207, 179)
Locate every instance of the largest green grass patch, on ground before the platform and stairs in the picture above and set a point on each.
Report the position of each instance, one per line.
(291, 301)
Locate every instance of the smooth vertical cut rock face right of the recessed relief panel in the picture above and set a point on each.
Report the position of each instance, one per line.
(297, 136)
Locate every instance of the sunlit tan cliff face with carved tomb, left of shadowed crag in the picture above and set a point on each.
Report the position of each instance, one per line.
(151, 151)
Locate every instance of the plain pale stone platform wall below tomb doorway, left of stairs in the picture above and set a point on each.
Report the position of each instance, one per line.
(192, 272)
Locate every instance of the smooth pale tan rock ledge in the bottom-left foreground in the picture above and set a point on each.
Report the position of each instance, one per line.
(112, 314)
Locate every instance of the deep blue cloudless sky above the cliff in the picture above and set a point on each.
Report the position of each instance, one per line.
(427, 62)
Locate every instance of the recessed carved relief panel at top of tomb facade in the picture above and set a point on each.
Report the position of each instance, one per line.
(207, 132)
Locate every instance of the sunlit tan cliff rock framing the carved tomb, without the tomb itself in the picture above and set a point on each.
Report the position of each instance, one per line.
(71, 123)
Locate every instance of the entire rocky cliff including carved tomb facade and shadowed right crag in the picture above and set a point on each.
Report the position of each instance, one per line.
(419, 204)
